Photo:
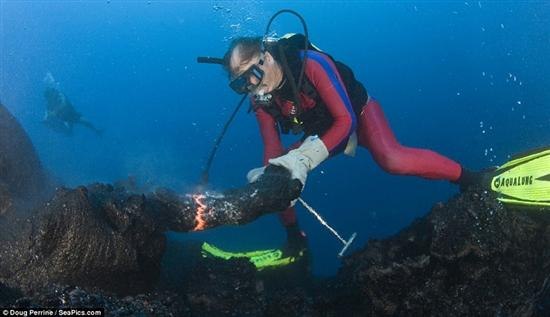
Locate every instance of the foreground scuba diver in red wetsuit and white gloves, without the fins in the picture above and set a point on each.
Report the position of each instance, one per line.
(299, 90)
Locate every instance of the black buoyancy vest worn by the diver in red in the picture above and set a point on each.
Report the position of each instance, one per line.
(318, 119)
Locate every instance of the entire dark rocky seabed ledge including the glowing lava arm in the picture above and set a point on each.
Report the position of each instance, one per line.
(104, 246)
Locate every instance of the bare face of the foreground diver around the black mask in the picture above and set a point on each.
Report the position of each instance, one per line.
(272, 74)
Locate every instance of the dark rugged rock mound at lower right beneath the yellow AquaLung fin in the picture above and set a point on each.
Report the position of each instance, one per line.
(470, 256)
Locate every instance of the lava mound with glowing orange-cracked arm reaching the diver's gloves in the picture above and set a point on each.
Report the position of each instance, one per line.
(100, 236)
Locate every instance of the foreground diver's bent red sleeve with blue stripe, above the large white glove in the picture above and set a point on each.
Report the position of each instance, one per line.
(324, 76)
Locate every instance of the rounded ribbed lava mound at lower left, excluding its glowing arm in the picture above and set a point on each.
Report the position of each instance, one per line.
(88, 237)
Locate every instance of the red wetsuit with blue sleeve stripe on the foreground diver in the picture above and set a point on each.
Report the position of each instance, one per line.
(371, 126)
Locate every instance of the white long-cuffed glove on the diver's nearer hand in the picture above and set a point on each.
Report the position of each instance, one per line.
(303, 159)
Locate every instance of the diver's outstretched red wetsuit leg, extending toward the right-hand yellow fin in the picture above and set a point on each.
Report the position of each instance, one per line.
(375, 134)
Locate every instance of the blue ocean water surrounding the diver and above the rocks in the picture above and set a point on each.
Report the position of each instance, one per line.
(468, 79)
